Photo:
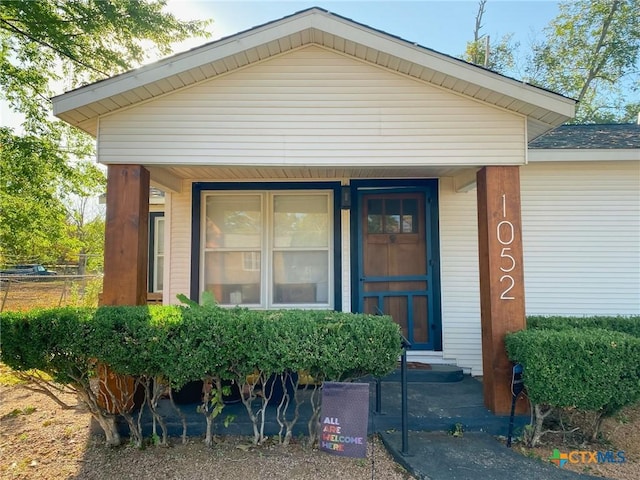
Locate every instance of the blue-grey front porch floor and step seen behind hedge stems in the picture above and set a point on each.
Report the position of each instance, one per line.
(438, 398)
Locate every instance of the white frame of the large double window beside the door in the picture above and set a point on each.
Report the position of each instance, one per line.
(267, 248)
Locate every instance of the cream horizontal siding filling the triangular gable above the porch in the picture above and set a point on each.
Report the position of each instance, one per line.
(312, 107)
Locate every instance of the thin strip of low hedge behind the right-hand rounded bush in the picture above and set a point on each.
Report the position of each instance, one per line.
(624, 324)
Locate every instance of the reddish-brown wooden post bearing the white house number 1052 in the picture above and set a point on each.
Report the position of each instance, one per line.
(501, 278)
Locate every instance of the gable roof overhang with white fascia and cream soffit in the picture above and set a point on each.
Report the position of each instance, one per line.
(82, 107)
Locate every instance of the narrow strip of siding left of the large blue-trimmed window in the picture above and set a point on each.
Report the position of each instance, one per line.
(180, 246)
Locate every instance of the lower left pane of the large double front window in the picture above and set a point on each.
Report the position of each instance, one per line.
(226, 276)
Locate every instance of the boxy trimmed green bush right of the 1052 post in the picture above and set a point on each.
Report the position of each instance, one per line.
(589, 369)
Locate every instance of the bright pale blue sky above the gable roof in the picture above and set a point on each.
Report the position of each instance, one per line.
(442, 25)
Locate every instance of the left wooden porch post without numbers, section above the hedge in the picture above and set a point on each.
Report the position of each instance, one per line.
(126, 236)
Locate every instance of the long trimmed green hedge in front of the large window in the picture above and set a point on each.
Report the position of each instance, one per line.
(184, 344)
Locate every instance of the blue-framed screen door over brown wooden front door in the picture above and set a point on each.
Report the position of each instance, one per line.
(397, 260)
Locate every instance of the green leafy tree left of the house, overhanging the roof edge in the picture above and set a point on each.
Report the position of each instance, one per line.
(47, 46)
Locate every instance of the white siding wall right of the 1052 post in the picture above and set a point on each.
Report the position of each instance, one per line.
(581, 238)
